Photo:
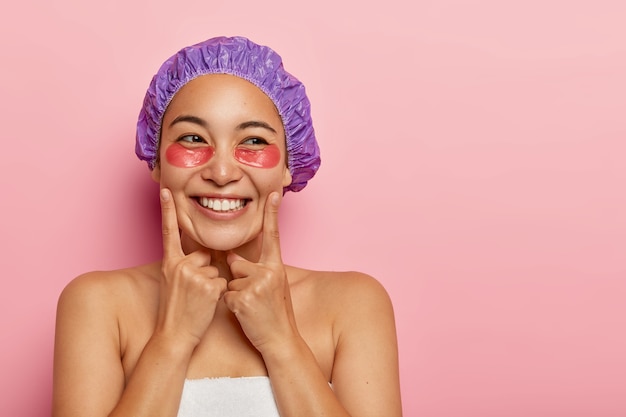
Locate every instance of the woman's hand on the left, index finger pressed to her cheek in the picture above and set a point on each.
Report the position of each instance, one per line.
(190, 286)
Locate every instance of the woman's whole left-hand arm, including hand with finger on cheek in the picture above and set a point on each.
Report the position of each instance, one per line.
(89, 379)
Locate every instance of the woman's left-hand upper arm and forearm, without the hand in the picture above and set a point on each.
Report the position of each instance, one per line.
(89, 378)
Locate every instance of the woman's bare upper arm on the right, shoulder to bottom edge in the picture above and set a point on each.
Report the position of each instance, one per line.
(365, 373)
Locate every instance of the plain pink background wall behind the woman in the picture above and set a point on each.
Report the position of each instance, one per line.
(473, 161)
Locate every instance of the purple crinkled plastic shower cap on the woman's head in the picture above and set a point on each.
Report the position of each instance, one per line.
(243, 58)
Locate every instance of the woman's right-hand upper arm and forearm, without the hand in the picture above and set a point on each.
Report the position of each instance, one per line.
(365, 378)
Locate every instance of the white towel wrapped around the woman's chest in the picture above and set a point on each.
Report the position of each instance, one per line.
(228, 397)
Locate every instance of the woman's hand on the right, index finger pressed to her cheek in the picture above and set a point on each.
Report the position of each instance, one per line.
(258, 294)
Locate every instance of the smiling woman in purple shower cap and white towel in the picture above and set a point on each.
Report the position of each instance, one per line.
(220, 326)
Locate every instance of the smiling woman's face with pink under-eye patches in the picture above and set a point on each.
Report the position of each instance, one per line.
(222, 152)
